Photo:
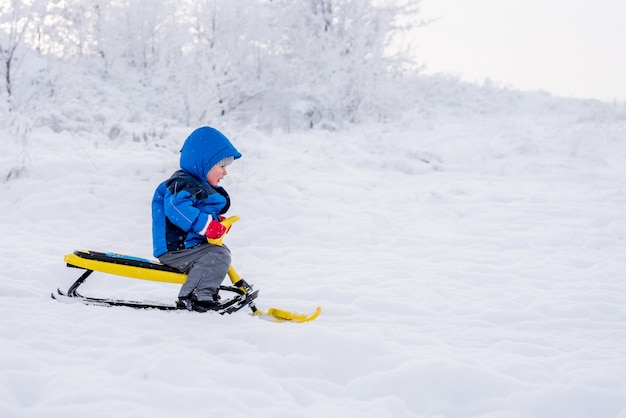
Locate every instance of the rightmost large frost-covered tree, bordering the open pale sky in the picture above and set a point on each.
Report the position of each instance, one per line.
(328, 59)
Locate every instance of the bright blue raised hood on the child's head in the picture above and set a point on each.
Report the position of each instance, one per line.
(204, 148)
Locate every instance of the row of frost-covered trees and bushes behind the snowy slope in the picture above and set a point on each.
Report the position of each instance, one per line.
(293, 64)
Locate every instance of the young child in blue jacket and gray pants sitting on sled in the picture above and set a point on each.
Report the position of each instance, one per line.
(186, 210)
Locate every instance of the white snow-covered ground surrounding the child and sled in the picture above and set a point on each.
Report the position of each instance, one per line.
(470, 260)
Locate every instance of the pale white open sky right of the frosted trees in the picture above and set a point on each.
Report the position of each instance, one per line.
(569, 48)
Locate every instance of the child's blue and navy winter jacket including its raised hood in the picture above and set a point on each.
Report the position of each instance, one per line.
(182, 204)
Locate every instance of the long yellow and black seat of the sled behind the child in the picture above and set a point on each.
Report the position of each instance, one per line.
(124, 265)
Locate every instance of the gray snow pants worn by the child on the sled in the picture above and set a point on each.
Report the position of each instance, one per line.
(206, 266)
